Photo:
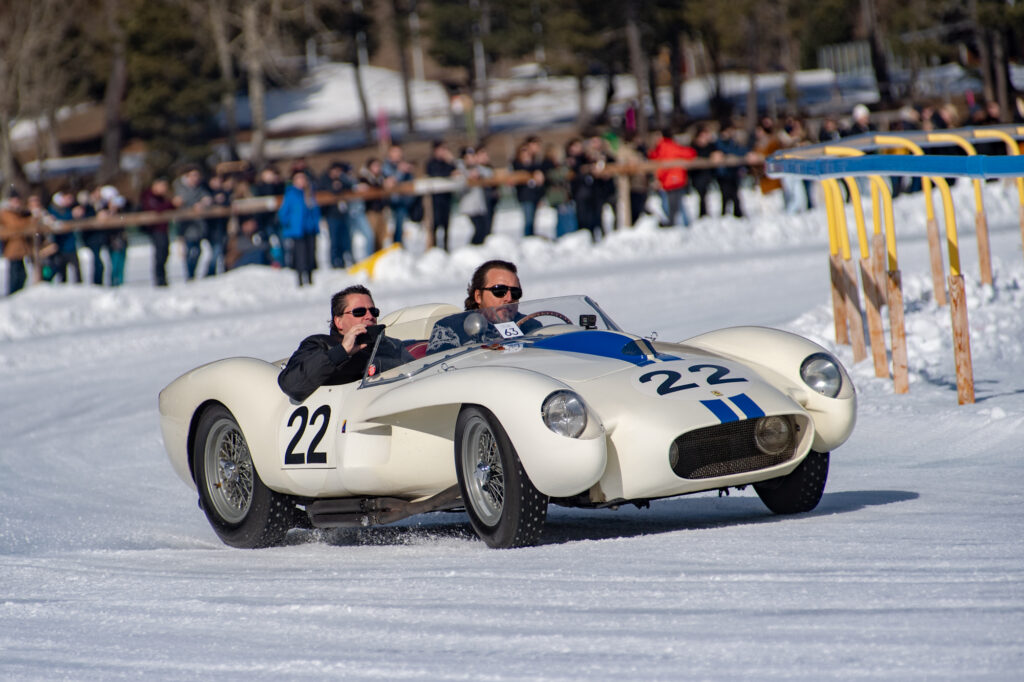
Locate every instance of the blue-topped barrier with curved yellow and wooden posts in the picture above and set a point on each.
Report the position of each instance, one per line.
(859, 157)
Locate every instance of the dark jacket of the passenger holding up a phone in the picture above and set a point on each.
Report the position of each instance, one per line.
(322, 361)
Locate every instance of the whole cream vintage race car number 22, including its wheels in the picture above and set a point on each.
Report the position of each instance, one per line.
(542, 402)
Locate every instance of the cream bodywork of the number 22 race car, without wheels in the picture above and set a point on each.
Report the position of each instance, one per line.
(394, 435)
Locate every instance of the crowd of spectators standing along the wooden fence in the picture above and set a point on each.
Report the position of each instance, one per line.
(573, 180)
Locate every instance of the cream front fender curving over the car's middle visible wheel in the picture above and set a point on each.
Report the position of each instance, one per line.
(559, 466)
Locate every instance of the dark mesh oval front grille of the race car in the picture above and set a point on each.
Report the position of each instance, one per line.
(724, 450)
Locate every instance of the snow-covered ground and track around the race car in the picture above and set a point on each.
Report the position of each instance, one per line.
(912, 568)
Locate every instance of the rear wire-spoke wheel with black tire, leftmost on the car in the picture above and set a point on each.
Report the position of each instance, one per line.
(243, 511)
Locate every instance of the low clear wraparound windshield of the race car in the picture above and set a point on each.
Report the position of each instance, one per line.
(442, 333)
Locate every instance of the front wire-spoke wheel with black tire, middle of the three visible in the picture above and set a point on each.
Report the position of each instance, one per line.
(504, 508)
